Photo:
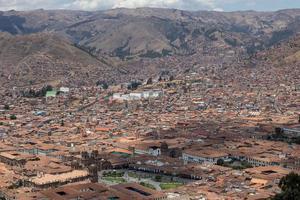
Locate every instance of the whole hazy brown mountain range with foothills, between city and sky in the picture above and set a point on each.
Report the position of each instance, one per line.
(81, 48)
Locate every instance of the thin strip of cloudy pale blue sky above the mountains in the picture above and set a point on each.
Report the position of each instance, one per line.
(216, 5)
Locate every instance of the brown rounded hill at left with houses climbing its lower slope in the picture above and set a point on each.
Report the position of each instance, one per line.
(45, 58)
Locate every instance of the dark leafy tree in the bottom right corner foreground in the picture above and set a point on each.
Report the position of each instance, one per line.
(290, 187)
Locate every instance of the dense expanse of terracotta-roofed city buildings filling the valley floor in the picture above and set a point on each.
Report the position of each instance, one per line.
(210, 136)
